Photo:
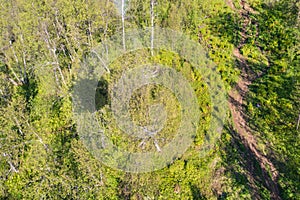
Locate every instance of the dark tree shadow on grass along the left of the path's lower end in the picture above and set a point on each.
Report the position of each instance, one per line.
(239, 155)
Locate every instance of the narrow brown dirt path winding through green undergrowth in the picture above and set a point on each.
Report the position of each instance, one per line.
(236, 104)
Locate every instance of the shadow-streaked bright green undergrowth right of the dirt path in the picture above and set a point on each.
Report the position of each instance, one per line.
(274, 98)
